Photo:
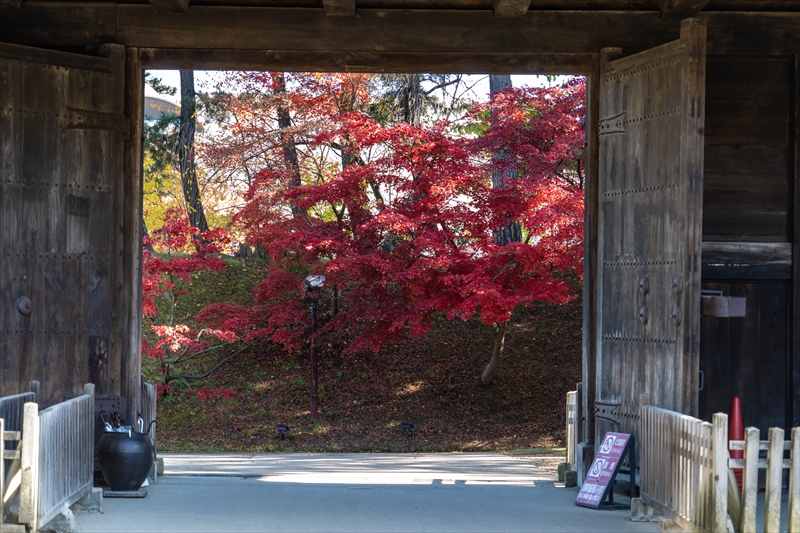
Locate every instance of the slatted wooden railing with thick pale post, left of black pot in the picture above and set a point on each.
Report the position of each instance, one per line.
(57, 457)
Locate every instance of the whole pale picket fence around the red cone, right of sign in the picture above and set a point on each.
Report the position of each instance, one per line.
(686, 473)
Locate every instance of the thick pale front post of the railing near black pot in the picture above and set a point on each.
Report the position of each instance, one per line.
(29, 488)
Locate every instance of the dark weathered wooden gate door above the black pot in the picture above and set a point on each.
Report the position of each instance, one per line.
(61, 141)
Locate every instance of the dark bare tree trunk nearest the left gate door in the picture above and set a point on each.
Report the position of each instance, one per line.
(191, 190)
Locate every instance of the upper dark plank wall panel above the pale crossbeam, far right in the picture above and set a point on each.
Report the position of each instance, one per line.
(746, 194)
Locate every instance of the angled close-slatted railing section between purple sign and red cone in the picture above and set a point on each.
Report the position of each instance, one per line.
(676, 460)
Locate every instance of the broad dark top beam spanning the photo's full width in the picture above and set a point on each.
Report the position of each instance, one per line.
(58, 24)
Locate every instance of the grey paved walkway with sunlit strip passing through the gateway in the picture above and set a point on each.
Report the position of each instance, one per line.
(355, 492)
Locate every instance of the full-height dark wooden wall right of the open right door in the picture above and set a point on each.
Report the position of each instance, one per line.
(748, 229)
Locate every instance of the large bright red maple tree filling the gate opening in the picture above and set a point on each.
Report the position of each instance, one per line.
(400, 218)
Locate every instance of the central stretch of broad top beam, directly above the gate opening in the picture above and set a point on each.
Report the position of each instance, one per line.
(464, 31)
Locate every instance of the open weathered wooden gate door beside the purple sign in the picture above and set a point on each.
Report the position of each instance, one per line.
(650, 220)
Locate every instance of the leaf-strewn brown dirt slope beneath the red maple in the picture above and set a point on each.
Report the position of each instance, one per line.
(432, 382)
